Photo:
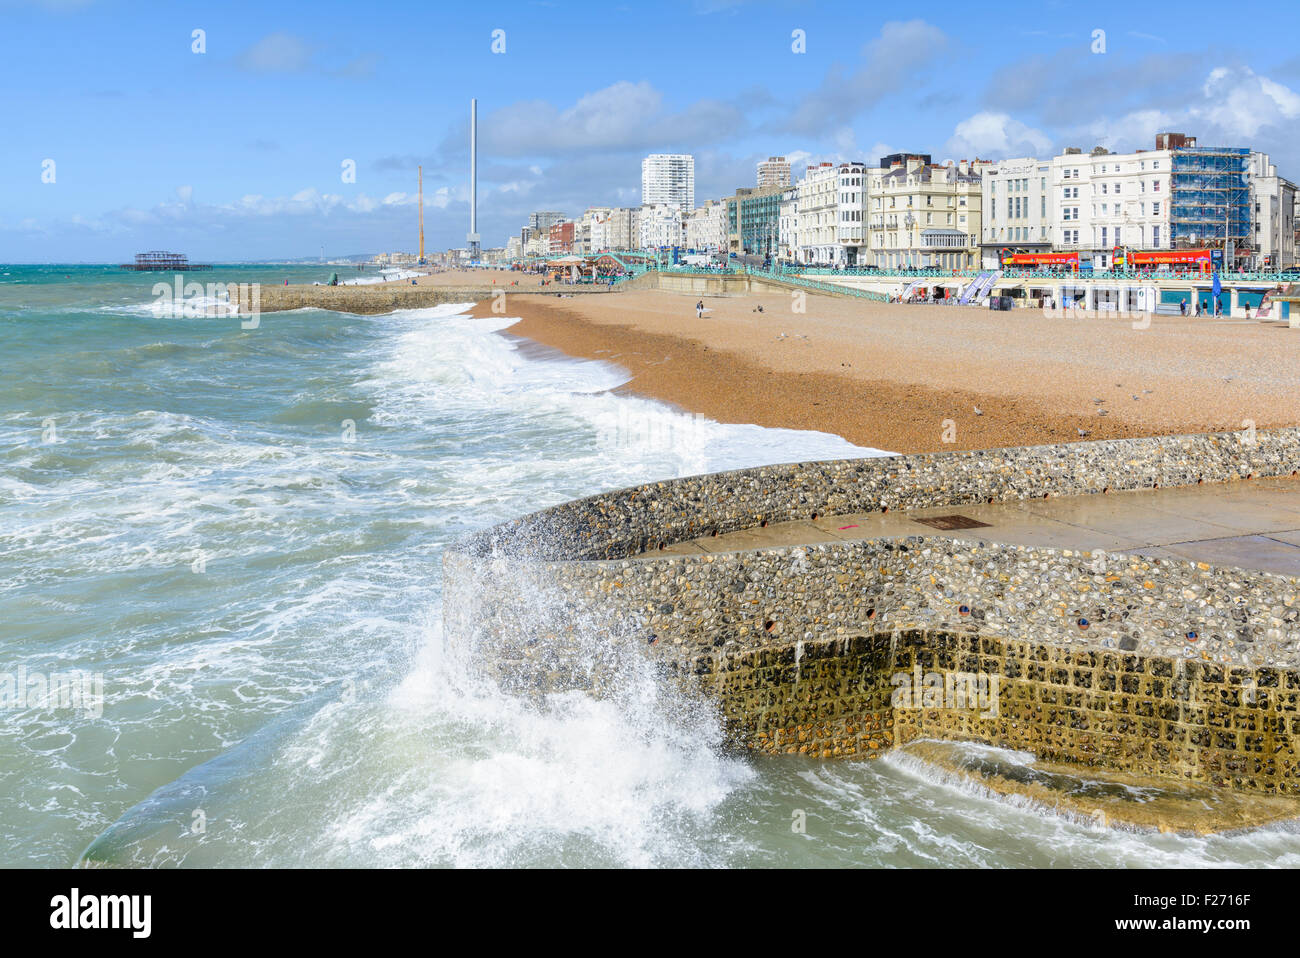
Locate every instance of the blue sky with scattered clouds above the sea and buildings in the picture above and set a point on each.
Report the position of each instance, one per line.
(237, 153)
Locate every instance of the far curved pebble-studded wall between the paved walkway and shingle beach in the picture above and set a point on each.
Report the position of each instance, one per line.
(629, 522)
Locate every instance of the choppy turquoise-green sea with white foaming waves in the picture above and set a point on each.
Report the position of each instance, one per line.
(240, 532)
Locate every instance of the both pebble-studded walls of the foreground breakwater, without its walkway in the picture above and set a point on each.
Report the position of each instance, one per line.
(1152, 666)
